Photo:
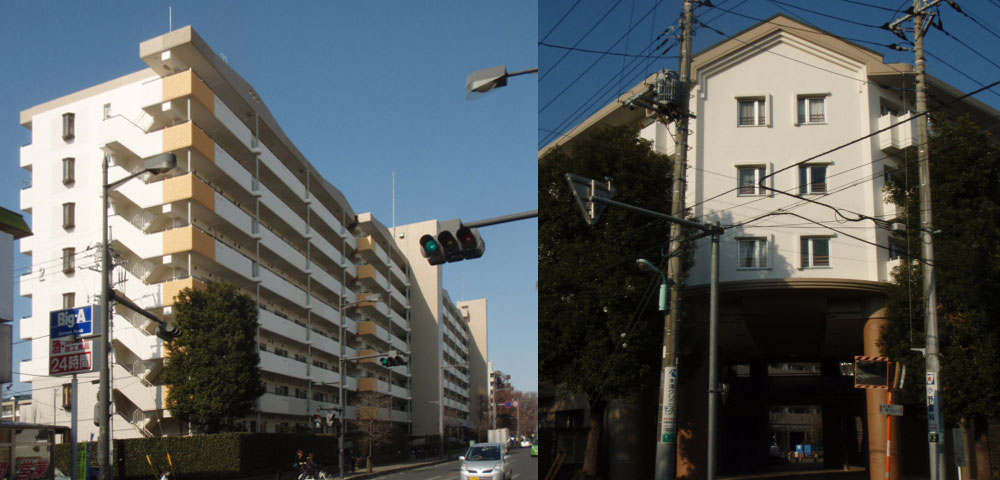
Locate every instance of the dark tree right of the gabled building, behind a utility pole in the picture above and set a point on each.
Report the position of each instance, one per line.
(965, 181)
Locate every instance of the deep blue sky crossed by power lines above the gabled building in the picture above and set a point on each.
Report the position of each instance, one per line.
(574, 87)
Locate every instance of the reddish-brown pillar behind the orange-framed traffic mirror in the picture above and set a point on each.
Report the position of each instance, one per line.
(877, 421)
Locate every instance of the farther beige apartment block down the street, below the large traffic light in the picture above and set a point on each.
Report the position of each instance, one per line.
(446, 338)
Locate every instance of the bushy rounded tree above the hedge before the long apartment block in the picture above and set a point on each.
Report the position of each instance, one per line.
(212, 369)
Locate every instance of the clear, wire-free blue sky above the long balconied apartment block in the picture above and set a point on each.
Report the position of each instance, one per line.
(364, 89)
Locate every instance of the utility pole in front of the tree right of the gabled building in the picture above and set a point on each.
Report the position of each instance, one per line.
(935, 413)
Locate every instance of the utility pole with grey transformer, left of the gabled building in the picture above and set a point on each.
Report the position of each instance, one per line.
(666, 446)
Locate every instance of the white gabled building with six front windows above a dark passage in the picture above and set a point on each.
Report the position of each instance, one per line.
(803, 284)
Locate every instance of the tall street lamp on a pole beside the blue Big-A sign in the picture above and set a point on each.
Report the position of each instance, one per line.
(156, 165)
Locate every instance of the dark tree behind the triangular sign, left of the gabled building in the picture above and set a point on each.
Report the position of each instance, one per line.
(593, 337)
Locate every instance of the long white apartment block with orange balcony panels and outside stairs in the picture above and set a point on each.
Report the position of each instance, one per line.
(242, 206)
